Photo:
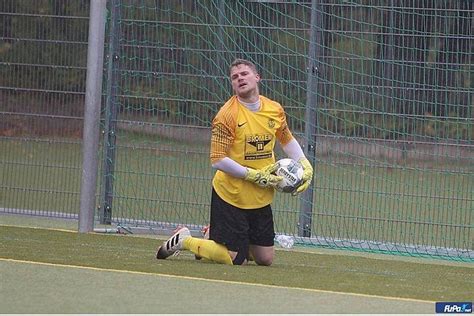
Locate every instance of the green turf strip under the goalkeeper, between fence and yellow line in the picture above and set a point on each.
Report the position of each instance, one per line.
(310, 270)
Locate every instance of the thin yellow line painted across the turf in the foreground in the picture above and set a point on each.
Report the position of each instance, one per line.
(216, 281)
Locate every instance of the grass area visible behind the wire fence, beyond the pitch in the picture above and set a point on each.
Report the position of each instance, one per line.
(161, 180)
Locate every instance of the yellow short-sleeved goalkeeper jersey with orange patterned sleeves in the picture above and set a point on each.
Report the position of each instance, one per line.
(248, 138)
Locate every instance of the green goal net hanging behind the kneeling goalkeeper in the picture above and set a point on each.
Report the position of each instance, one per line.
(394, 125)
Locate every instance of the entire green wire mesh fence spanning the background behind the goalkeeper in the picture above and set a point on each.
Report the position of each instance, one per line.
(379, 92)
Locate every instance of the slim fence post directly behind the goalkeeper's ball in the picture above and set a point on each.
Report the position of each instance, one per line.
(305, 216)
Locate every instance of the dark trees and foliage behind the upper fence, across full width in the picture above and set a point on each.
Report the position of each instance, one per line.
(174, 57)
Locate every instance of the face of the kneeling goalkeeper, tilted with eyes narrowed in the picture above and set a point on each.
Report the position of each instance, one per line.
(244, 80)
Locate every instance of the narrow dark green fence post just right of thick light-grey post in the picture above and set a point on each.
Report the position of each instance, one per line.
(113, 57)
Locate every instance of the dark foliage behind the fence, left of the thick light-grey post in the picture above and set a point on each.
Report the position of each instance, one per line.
(47, 41)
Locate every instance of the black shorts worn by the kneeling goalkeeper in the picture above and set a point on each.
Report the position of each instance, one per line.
(238, 228)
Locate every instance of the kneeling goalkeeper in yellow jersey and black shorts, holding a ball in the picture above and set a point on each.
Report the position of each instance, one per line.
(244, 133)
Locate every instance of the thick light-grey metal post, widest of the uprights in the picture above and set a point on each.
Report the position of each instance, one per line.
(90, 146)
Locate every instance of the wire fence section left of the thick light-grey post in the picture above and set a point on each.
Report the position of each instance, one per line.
(43, 50)
